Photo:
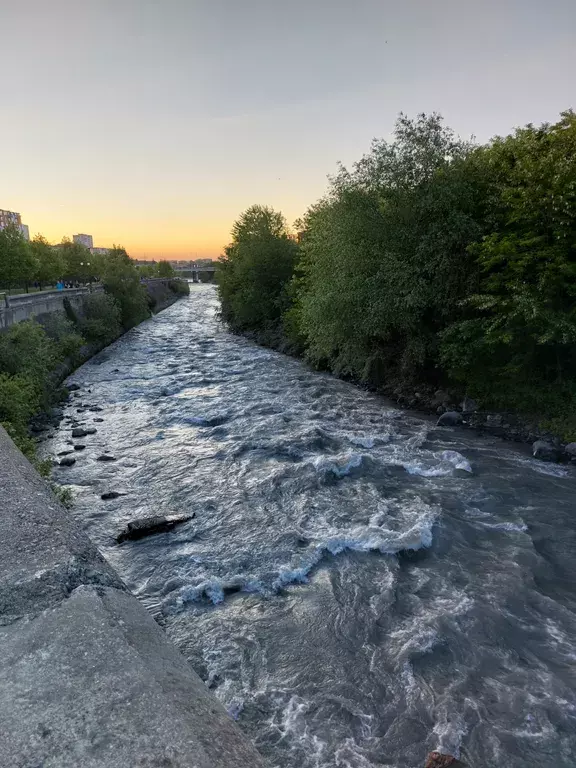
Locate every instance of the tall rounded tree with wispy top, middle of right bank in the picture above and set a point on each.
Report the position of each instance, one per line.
(385, 260)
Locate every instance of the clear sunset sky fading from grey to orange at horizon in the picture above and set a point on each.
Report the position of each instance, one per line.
(154, 123)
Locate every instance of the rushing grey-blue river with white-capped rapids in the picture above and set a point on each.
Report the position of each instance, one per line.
(351, 592)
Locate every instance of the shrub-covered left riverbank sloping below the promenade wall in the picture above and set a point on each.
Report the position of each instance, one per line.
(36, 355)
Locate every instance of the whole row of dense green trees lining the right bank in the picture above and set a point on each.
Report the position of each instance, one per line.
(432, 262)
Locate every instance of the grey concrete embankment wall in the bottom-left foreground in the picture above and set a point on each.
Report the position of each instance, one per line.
(87, 678)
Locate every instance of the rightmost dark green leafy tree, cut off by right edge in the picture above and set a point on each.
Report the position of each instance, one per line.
(519, 331)
